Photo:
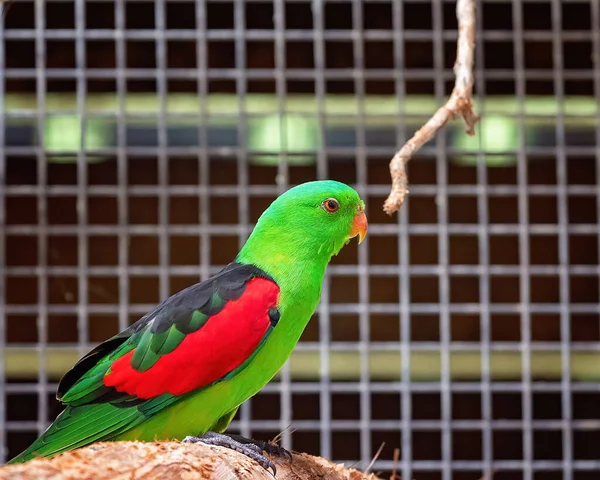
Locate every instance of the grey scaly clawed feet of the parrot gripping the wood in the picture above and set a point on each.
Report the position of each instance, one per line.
(251, 448)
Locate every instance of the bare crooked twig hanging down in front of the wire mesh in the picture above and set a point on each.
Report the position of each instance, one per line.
(459, 103)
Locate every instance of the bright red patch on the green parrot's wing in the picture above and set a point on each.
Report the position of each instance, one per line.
(220, 346)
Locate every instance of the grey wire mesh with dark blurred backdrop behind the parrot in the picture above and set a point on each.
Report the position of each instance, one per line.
(141, 140)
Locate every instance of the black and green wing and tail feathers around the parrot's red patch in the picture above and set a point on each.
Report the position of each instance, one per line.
(96, 412)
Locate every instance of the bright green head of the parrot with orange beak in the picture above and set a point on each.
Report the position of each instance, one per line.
(303, 228)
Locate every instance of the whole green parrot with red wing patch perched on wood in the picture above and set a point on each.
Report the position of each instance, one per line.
(187, 366)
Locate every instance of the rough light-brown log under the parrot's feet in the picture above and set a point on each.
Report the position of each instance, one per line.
(172, 460)
